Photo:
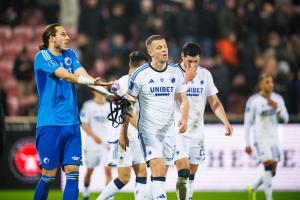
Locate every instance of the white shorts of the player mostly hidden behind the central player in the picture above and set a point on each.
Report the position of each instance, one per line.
(132, 156)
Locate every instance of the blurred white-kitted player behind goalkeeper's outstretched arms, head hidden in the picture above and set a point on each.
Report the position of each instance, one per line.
(100, 136)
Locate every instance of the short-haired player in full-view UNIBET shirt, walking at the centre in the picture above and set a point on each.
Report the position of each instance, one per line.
(157, 86)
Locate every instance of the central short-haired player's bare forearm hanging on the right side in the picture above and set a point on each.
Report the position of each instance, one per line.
(184, 109)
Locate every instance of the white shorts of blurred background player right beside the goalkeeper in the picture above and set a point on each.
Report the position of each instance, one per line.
(105, 156)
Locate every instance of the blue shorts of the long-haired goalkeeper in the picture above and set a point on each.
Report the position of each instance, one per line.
(58, 145)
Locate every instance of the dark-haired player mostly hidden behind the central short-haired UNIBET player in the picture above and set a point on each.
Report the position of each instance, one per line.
(132, 156)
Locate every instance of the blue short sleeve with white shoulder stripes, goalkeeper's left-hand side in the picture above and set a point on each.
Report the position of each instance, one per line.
(43, 61)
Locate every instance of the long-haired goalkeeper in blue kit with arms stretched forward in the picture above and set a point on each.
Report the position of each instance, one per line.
(58, 139)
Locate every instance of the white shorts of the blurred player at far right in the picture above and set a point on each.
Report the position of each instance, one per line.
(267, 150)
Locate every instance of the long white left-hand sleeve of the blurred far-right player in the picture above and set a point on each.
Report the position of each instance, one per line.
(249, 119)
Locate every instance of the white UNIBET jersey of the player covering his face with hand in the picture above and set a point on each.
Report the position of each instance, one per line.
(198, 90)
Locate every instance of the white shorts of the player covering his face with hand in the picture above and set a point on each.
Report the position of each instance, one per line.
(191, 148)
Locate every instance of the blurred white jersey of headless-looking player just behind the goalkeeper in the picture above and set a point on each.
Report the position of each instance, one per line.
(95, 115)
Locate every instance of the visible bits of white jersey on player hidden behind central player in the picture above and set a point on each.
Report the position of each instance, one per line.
(123, 86)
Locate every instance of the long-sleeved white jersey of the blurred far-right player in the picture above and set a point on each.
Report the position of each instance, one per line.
(264, 118)
